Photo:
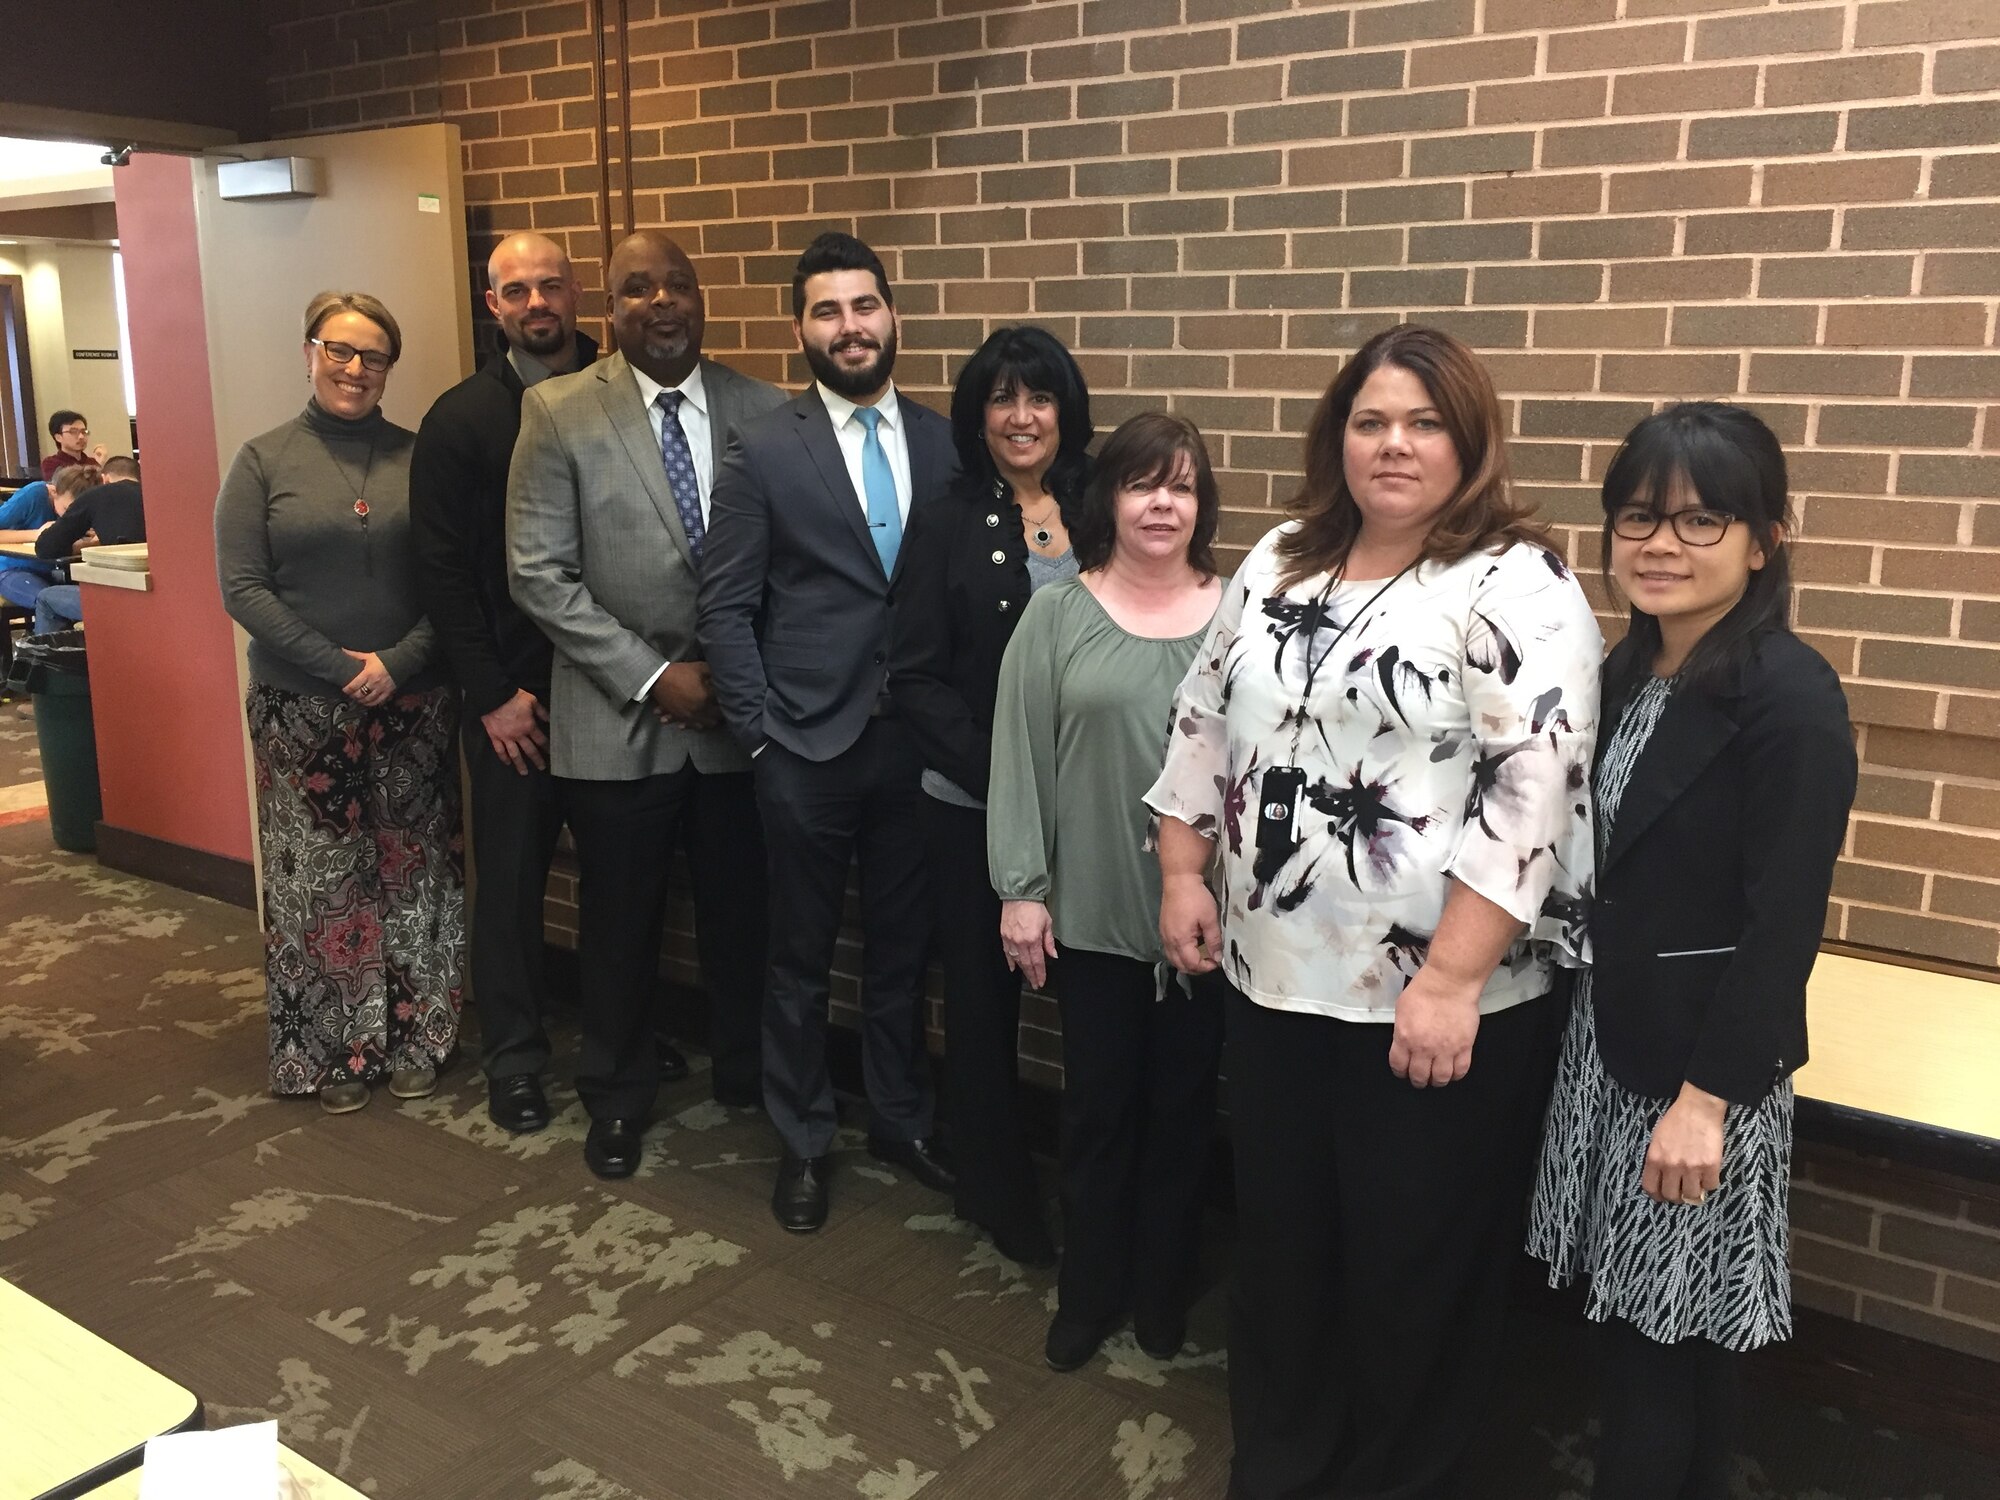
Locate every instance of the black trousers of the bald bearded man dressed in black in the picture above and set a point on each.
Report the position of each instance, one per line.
(515, 827)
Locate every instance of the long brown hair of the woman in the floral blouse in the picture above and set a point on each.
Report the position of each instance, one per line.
(1481, 515)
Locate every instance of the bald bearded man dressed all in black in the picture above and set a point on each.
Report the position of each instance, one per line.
(499, 655)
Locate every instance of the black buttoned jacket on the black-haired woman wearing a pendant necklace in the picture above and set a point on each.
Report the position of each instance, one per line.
(953, 619)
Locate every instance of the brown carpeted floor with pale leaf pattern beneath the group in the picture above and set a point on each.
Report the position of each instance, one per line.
(439, 1311)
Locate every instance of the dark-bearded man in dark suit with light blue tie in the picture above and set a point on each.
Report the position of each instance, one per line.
(803, 559)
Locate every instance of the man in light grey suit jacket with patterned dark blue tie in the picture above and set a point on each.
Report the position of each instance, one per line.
(607, 525)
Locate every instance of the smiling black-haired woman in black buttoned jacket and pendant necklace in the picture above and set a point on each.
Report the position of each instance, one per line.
(1021, 423)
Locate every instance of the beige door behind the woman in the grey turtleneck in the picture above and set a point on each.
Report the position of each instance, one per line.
(265, 259)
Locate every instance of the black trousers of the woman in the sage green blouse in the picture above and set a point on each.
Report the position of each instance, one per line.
(1139, 1111)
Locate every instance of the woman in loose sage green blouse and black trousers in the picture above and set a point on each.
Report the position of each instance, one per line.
(1081, 727)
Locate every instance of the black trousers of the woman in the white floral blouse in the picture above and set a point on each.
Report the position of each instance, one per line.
(1377, 1233)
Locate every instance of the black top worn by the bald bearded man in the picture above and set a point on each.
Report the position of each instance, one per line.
(459, 529)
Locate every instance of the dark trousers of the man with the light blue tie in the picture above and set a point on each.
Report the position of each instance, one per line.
(819, 817)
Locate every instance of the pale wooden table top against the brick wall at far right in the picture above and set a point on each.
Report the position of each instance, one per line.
(1905, 1043)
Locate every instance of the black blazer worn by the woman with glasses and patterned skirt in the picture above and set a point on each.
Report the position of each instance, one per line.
(1713, 889)
